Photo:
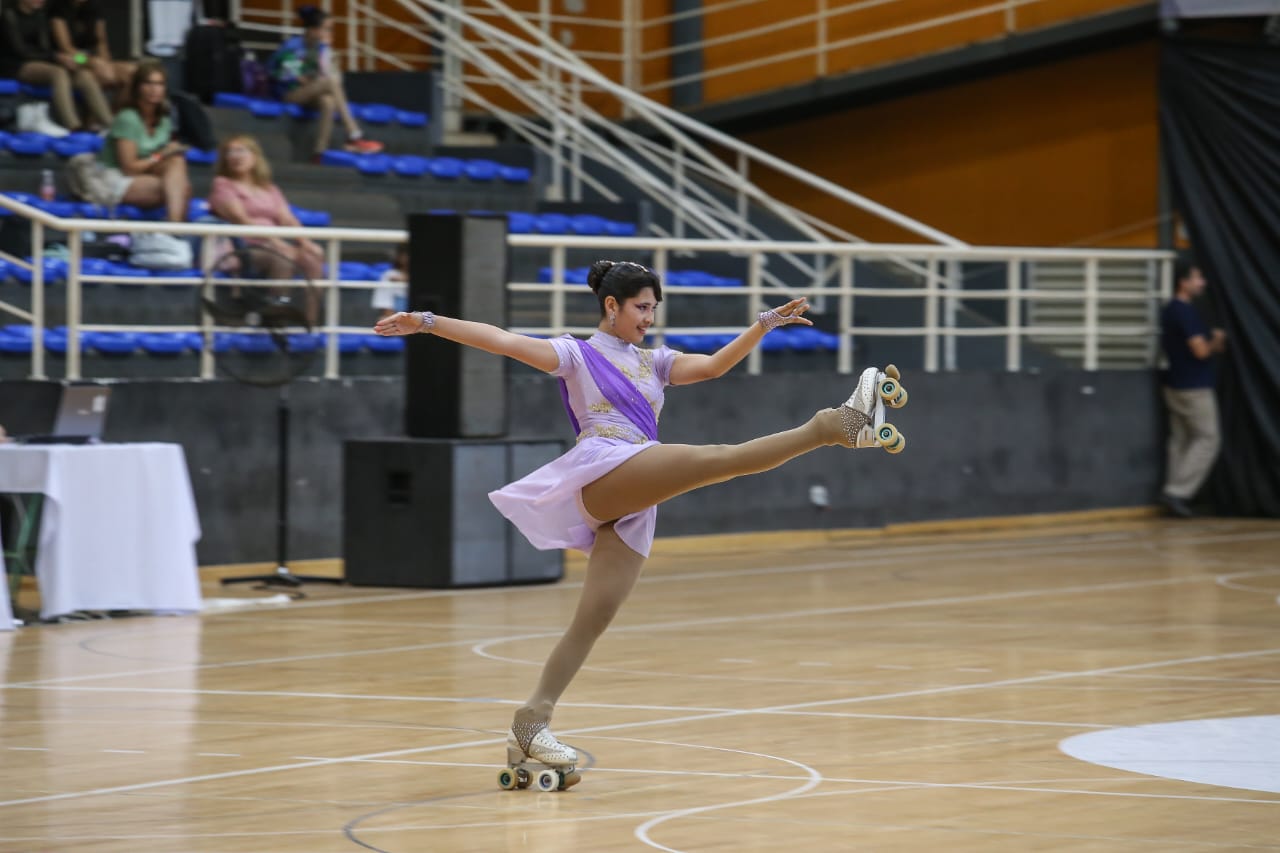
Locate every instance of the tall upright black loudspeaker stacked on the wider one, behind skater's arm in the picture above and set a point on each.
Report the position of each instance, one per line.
(458, 267)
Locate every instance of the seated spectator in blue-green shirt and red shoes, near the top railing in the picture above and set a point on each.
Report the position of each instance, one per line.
(303, 72)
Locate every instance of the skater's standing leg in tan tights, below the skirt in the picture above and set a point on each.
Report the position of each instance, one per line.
(611, 573)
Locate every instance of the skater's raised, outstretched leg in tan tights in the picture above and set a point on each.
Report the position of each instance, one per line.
(666, 471)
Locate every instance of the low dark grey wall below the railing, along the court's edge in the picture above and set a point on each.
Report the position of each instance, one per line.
(979, 445)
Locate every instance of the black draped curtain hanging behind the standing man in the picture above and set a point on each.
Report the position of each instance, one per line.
(1220, 131)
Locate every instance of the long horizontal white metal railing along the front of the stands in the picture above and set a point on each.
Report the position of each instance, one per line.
(938, 289)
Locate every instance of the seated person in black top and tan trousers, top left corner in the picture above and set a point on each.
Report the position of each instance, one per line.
(28, 53)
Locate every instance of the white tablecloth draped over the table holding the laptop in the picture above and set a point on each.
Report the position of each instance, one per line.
(120, 526)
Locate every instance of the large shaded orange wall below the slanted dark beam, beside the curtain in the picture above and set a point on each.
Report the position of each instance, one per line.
(1048, 157)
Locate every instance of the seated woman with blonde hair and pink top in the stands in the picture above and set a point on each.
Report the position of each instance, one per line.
(244, 194)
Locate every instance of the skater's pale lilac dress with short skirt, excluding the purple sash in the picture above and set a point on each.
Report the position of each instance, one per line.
(547, 505)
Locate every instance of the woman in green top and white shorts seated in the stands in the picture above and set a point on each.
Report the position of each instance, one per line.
(144, 166)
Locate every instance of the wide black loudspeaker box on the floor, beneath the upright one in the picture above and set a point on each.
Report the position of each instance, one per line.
(417, 513)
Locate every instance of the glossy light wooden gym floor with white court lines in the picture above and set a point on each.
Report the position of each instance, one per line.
(915, 690)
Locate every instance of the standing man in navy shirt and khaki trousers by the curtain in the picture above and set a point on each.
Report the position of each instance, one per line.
(1188, 386)
